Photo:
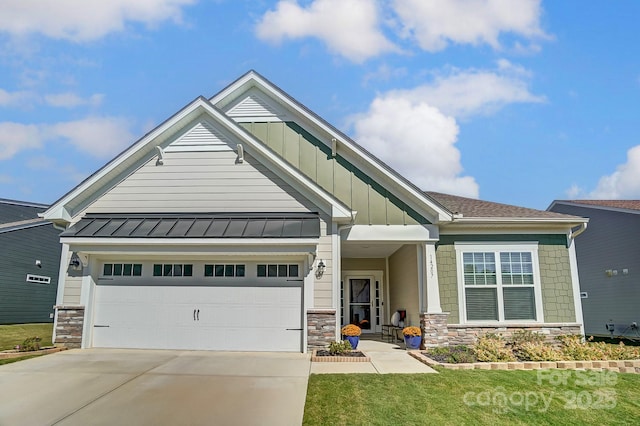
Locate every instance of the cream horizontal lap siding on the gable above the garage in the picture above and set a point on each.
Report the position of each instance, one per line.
(201, 182)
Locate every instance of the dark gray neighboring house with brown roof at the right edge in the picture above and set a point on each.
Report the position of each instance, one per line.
(608, 264)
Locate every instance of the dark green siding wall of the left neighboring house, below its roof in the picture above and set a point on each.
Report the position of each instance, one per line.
(22, 301)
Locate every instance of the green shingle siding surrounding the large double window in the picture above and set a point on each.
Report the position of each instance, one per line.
(555, 273)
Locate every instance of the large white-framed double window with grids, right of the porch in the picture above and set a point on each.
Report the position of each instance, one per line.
(499, 282)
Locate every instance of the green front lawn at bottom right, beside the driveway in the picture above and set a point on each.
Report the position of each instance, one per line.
(473, 398)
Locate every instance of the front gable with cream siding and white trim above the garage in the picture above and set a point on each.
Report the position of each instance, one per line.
(212, 165)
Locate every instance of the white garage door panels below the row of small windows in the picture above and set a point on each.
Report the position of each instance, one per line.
(231, 318)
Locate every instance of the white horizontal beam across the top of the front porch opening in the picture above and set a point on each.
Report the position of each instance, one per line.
(392, 233)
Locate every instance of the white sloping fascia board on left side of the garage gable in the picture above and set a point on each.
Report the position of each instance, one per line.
(58, 212)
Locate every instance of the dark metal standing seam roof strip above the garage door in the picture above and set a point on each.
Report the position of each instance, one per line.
(215, 225)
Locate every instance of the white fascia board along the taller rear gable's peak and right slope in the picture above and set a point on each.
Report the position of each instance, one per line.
(253, 79)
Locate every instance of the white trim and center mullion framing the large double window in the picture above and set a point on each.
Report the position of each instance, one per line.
(497, 247)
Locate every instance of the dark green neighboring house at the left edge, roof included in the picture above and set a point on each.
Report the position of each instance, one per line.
(29, 263)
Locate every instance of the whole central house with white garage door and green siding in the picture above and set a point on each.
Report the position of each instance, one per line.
(247, 222)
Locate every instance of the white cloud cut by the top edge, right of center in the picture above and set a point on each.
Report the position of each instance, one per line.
(436, 24)
